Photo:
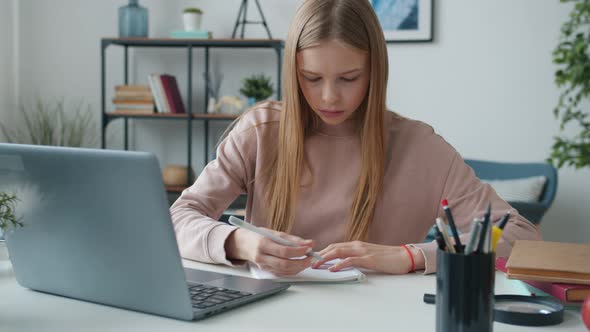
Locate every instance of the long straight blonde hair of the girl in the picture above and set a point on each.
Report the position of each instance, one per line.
(354, 23)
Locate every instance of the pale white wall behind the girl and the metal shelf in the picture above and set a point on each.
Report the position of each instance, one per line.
(485, 83)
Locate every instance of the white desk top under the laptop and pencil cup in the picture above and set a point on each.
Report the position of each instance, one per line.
(382, 303)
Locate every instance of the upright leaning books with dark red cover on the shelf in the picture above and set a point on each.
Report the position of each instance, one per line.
(164, 88)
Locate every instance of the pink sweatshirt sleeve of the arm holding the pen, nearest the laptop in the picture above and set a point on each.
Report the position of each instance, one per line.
(194, 215)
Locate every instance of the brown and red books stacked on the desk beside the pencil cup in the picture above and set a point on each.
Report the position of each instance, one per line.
(559, 269)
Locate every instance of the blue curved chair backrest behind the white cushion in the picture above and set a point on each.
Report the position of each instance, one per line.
(491, 170)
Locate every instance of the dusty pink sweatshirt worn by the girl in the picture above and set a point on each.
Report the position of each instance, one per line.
(421, 169)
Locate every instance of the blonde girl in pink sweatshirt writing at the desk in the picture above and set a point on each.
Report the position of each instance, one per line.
(332, 166)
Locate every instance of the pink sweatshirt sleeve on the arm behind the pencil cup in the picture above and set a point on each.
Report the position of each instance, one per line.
(468, 198)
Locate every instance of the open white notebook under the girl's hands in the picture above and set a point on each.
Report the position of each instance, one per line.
(321, 274)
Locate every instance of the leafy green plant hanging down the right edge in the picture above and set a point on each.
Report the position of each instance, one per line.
(573, 76)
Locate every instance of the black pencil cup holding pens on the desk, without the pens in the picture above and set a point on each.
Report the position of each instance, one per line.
(464, 292)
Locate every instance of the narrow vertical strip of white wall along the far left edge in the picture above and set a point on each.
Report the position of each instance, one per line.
(7, 91)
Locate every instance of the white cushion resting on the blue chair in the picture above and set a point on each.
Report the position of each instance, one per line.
(519, 190)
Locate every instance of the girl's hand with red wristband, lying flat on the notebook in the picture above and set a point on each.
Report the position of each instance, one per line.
(387, 259)
